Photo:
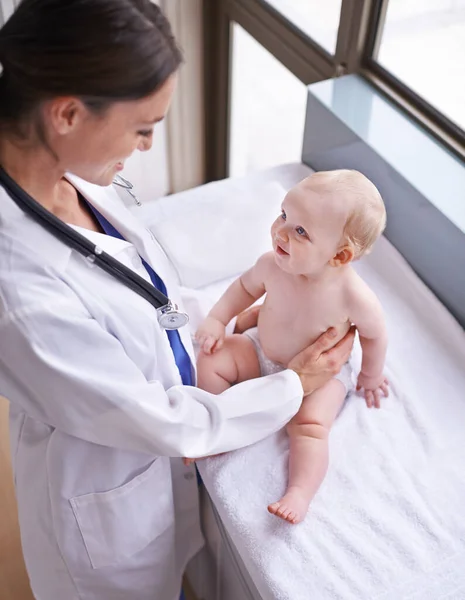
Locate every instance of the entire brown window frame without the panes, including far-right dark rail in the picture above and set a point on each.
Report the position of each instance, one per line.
(359, 31)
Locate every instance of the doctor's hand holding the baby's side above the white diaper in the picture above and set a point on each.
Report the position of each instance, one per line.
(318, 363)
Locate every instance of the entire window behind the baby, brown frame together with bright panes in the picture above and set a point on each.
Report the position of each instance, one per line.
(260, 54)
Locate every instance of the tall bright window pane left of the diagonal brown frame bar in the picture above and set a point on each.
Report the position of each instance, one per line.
(267, 108)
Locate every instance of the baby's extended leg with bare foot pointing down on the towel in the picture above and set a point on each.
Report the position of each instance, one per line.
(308, 454)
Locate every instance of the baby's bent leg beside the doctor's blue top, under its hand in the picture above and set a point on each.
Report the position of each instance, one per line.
(236, 361)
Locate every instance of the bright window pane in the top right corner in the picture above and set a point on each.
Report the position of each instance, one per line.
(422, 43)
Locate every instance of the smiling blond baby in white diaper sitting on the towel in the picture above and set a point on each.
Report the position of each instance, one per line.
(327, 221)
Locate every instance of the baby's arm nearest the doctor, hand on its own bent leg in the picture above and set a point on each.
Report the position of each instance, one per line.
(241, 294)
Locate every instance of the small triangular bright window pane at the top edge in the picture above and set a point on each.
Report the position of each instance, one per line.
(319, 20)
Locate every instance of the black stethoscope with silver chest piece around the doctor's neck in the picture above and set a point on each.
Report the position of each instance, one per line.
(169, 317)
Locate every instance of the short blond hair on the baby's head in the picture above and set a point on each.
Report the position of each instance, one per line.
(367, 217)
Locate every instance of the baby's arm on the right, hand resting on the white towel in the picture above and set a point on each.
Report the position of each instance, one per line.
(367, 315)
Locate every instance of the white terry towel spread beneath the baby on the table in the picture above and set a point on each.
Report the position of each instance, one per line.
(388, 522)
